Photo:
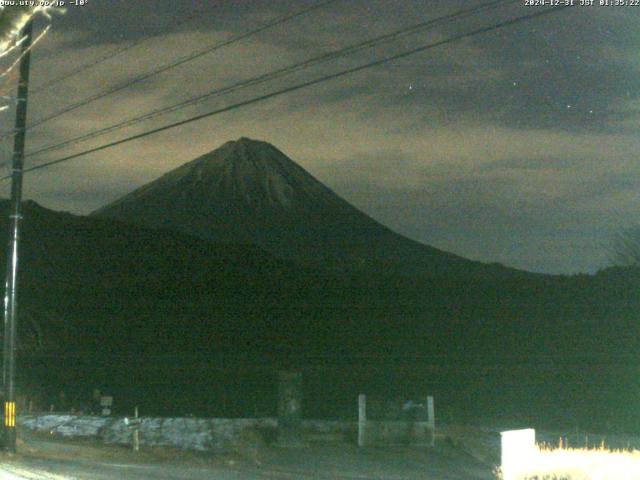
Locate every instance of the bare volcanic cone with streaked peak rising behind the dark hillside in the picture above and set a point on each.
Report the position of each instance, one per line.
(250, 192)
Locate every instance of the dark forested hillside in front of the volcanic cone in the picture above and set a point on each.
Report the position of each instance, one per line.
(140, 310)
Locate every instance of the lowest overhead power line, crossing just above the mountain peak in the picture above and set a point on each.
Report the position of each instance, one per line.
(300, 86)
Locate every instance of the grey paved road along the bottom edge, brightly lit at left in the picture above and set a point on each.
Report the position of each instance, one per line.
(327, 464)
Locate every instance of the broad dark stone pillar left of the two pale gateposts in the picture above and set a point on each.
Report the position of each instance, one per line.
(290, 409)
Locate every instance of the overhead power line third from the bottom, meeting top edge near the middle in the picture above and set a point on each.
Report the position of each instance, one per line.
(192, 56)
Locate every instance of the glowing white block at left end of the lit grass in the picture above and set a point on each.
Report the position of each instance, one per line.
(518, 451)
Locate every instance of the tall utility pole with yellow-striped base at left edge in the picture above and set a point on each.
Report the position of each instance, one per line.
(11, 283)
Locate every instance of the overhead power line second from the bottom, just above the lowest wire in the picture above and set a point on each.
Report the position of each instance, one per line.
(273, 75)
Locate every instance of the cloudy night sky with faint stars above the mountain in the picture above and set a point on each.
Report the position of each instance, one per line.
(518, 146)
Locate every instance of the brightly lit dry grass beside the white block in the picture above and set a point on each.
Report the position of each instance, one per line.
(579, 464)
